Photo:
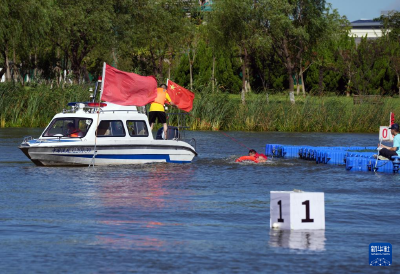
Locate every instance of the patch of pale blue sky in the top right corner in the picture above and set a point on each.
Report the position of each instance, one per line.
(363, 9)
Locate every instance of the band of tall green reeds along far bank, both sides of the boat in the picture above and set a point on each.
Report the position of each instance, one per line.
(34, 106)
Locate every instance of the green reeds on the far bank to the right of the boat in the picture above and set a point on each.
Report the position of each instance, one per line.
(310, 114)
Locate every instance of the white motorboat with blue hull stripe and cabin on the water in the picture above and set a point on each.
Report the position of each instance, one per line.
(105, 134)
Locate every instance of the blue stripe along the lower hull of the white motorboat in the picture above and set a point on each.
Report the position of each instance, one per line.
(128, 157)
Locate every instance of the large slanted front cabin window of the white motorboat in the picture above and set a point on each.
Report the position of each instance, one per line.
(68, 127)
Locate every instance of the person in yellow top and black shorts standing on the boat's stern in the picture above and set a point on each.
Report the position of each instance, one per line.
(157, 111)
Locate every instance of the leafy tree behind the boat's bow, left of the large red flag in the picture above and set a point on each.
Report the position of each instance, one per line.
(79, 27)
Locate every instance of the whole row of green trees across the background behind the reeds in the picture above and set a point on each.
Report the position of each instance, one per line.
(267, 45)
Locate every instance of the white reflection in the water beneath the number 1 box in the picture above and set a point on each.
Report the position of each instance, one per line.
(298, 239)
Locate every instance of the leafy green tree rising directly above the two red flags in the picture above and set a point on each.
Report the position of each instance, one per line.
(158, 33)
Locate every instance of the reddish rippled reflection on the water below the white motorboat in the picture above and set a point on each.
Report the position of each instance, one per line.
(137, 208)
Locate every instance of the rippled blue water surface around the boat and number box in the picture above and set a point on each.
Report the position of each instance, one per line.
(211, 216)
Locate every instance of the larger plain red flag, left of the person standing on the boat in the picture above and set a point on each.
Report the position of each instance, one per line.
(128, 89)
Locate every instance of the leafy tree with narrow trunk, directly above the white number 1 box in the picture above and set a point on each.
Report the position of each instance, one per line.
(294, 27)
